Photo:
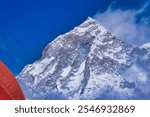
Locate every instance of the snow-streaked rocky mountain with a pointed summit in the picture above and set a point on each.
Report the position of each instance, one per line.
(89, 62)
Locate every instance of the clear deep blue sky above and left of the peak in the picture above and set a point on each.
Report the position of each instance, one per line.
(27, 26)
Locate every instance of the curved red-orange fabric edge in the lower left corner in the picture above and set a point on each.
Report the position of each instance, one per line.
(9, 87)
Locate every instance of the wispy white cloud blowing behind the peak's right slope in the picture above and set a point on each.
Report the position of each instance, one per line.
(124, 24)
